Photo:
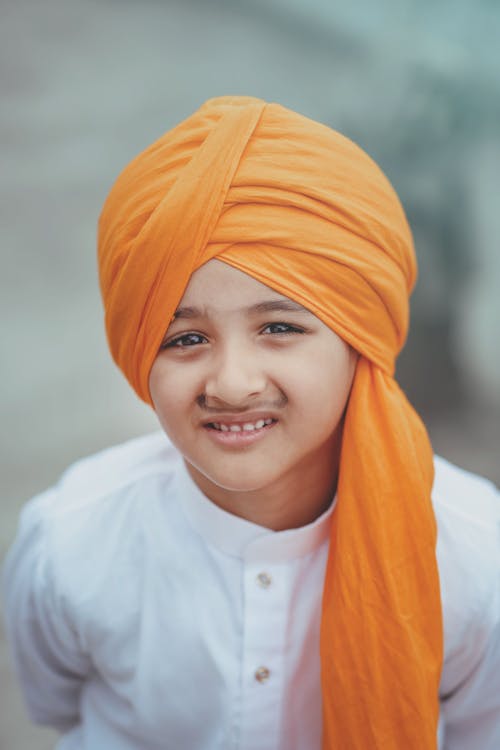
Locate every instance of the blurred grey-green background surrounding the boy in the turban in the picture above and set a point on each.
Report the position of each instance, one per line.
(86, 84)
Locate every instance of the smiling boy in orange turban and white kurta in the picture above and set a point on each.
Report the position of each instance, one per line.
(274, 577)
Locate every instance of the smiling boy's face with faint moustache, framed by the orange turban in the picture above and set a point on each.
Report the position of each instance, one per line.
(250, 386)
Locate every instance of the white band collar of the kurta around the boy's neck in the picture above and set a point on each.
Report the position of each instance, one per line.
(240, 538)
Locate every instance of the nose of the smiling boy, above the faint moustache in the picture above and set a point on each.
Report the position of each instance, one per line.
(236, 378)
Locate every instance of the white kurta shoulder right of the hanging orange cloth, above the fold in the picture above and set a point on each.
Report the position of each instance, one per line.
(467, 510)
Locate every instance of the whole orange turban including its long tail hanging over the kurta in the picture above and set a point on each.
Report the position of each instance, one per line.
(302, 209)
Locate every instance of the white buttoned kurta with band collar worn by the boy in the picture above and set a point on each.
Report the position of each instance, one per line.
(143, 617)
